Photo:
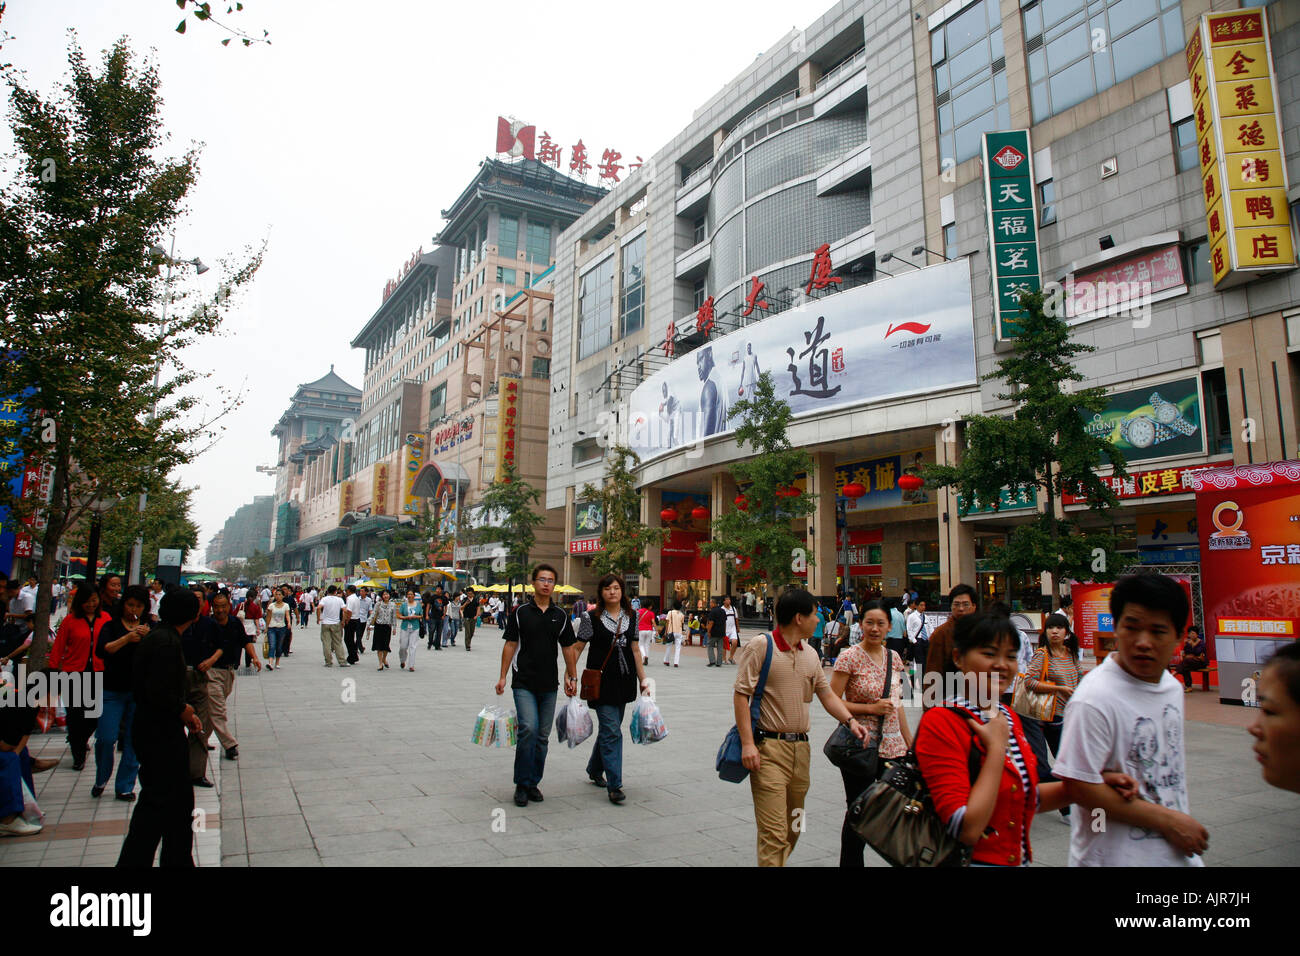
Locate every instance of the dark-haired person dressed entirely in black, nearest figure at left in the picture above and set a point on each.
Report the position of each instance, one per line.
(158, 733)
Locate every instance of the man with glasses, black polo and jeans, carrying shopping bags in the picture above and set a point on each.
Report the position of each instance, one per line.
(535, 631)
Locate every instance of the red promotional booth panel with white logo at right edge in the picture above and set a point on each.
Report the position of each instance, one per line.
(1250, 569)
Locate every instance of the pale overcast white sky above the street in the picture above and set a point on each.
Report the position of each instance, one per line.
(343, 141)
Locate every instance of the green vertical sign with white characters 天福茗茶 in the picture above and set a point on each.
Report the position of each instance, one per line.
(1013, 224)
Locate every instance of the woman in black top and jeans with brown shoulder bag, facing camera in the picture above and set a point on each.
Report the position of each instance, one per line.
(610, 633)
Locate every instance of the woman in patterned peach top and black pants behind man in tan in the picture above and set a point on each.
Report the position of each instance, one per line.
(860, 678)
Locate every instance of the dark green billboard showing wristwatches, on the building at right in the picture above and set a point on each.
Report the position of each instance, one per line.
(1154, 422)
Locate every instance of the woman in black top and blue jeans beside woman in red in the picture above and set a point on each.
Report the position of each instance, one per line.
(116, 648)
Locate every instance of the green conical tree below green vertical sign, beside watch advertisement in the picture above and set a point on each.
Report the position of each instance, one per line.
(1045, 447)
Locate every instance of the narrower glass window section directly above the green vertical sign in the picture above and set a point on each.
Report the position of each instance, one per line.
(970, 80)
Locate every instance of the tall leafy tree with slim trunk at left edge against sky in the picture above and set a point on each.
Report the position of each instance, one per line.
(81, 295)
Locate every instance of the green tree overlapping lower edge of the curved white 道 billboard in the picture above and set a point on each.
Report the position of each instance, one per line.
(761, 535)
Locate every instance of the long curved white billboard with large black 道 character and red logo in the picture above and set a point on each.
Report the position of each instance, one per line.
(905, 336)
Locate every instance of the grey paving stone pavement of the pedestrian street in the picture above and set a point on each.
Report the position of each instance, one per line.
(356, 768)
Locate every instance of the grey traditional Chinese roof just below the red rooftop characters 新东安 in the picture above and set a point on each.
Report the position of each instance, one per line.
(527, 184)
